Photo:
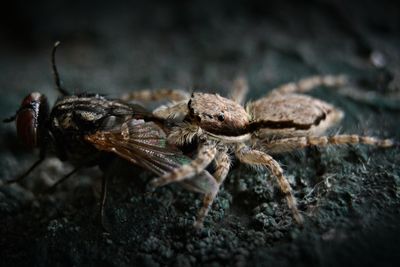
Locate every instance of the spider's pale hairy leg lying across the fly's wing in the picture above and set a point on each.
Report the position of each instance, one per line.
(206, 153)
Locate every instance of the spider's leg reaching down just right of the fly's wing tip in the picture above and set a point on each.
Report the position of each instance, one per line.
(223, 164)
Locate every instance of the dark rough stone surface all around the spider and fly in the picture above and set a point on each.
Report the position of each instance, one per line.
(350, 195)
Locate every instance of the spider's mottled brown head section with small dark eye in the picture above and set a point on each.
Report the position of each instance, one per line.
(217, 115)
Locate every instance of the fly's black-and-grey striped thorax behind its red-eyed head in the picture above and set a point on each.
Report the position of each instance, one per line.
(73, 117)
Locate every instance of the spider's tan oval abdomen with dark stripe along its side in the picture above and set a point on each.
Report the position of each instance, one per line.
(285, 115)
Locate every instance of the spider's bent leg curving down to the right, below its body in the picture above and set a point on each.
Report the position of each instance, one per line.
(255, 157)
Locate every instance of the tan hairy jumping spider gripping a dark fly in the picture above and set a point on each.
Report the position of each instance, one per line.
(283, 120)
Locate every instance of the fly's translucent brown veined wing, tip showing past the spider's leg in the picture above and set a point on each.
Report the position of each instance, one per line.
(145, 144)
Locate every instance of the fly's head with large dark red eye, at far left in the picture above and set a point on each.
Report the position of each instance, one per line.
(30, 119)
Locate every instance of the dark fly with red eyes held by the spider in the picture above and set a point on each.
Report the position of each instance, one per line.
(89, 129)
